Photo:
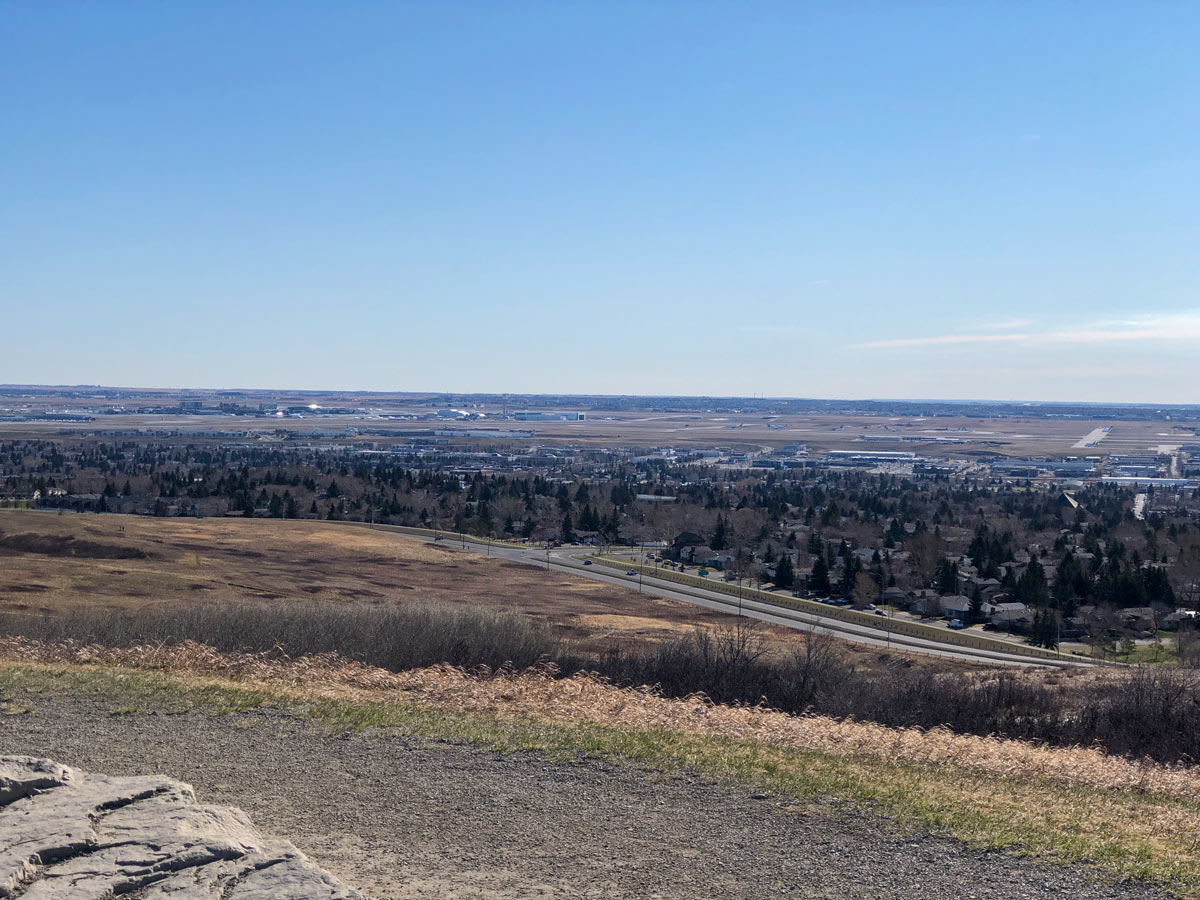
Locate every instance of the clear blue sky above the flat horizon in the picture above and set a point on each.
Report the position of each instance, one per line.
(843, 200)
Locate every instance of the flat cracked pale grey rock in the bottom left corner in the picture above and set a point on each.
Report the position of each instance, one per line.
(73, 836)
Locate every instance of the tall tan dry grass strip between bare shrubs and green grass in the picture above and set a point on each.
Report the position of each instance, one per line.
(585, 698)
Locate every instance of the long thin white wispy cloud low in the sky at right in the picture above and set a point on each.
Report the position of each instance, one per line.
(1172, 328)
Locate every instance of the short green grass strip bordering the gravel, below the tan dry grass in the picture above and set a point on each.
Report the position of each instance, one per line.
(1125, 835)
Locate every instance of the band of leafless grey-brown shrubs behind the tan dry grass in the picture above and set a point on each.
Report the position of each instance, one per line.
(1139, 713)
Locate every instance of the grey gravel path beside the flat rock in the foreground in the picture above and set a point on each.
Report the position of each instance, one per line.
(401, 818)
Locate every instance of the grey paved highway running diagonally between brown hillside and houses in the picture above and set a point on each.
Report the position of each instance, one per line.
(562, 560)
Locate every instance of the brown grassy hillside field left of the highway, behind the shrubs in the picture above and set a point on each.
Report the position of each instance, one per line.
(52, 563)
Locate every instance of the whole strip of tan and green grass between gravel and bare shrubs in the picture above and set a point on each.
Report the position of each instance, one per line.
(1133, 820)
